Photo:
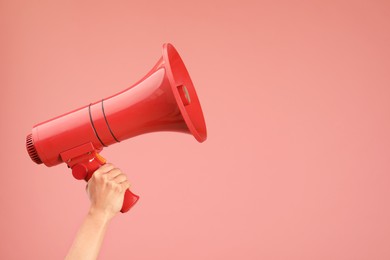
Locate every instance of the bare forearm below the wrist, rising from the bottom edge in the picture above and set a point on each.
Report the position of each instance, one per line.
(89, 237)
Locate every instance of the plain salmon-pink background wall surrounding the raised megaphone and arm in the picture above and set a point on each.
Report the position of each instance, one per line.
(296, 96)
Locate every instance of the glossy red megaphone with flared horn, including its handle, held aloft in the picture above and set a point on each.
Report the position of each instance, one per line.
(164, 100)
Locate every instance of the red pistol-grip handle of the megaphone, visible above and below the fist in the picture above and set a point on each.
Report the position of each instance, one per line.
(85, 171)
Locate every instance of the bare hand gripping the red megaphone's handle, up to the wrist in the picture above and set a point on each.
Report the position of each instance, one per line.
(106, 190)
